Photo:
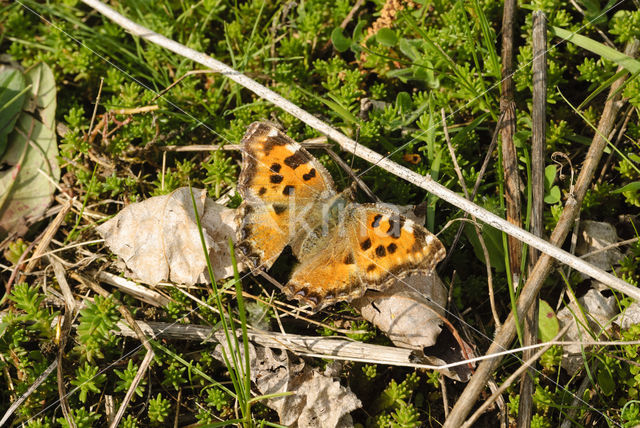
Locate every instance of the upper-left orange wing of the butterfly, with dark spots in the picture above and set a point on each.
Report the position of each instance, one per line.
(279, 182)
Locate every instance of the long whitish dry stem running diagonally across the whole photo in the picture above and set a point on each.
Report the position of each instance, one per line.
(424, 182)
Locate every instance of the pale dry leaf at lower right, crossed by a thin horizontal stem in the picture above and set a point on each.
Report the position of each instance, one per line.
(599, 311)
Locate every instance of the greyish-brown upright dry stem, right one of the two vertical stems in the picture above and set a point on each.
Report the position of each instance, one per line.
(538, 143)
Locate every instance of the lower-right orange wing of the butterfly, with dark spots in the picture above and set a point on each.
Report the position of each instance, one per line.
(370, 248)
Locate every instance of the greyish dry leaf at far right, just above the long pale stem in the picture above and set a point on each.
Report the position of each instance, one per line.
(594, 236)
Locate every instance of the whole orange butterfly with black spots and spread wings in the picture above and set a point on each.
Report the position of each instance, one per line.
(343, 248)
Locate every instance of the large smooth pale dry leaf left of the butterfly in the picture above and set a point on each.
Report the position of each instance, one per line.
(158, 239)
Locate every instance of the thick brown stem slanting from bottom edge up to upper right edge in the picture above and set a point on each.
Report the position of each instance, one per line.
(542, 268)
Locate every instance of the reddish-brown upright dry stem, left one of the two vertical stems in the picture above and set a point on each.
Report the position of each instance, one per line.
(508, 130)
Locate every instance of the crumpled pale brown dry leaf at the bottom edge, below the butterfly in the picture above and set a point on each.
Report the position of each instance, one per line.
(316, 400)
